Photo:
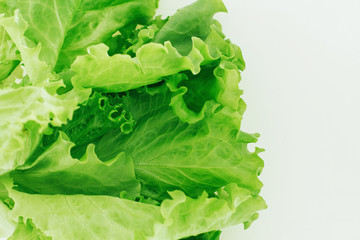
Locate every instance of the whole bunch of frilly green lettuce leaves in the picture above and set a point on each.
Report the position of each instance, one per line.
(119, 124)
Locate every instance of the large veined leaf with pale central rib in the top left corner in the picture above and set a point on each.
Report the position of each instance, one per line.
(53, 33)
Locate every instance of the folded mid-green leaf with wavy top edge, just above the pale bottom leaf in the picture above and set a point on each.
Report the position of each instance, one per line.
(56, 172)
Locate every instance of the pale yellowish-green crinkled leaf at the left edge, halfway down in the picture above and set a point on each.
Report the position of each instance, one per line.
(24, 115)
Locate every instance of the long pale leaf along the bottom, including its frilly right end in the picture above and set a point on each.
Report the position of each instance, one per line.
(110, 217)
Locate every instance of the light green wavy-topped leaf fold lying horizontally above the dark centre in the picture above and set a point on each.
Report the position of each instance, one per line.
(120, 72)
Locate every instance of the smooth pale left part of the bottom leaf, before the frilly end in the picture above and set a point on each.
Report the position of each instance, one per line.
(85, 217)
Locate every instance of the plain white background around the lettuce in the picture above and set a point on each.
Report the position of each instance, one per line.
(302, 87)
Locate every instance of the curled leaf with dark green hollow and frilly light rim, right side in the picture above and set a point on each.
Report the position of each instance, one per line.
(191, 92)
